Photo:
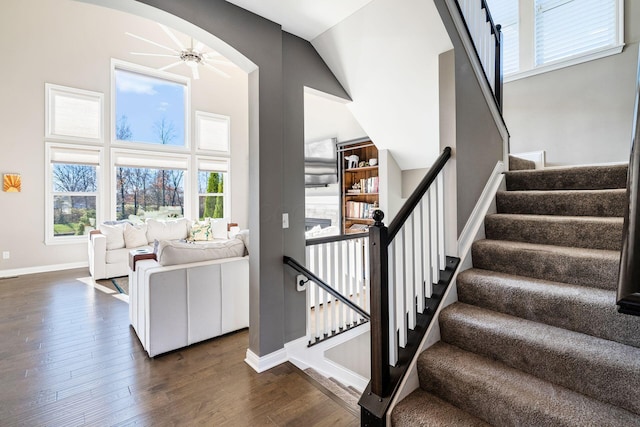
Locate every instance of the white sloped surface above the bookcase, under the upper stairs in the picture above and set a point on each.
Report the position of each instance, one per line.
(386, 57)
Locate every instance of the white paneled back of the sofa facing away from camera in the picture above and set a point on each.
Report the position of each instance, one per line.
(174, 306)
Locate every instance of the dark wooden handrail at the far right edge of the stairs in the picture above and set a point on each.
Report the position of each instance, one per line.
(629, 278)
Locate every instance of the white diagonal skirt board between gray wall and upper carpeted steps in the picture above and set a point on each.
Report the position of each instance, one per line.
(476, 219)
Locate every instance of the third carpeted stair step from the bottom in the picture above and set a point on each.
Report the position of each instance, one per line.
(549, 353)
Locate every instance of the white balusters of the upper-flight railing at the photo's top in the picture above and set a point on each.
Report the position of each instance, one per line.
(487, 41)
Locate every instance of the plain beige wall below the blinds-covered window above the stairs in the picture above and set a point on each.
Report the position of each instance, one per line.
(580, 114)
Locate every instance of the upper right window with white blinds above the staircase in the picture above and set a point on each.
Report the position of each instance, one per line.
(544, 35)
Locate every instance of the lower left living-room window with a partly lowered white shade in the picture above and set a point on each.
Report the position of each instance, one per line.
(72, 195)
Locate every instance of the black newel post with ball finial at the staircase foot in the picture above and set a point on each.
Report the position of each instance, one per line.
(379, 266)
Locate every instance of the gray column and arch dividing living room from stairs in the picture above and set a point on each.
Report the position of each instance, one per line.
(276, 137)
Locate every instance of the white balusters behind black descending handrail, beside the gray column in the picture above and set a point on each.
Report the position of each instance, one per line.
(344, 265)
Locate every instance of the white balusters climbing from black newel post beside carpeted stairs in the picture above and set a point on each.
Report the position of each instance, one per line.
(416, 256)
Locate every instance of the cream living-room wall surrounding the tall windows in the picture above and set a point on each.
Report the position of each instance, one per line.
(70, 43)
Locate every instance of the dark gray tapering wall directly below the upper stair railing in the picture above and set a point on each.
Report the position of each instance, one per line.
(479, 145)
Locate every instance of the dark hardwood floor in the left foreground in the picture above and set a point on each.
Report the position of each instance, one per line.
(69, 357)
